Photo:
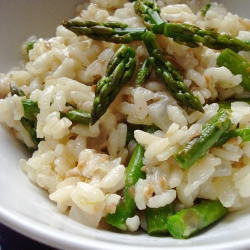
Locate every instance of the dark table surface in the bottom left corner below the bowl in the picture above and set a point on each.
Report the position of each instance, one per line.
(11, 240)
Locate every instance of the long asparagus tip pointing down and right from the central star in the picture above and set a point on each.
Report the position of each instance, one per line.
(169, 75)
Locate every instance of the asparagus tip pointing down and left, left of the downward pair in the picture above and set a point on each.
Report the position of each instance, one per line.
(119, 71)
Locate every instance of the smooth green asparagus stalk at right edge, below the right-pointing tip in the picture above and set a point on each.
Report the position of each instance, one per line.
(236, 64)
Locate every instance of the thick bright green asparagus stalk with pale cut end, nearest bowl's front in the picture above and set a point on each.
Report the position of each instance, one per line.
(191, 220)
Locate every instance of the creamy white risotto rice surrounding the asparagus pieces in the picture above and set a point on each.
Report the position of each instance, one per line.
(83, 166)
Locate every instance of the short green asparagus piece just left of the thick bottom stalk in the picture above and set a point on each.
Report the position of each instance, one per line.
(157, 219)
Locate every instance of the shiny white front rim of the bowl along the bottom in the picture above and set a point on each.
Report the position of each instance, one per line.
(59, 239)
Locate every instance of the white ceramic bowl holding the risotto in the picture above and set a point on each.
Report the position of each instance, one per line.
(27, 209)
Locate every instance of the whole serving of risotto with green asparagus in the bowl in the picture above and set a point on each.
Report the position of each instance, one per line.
(136, 114)
